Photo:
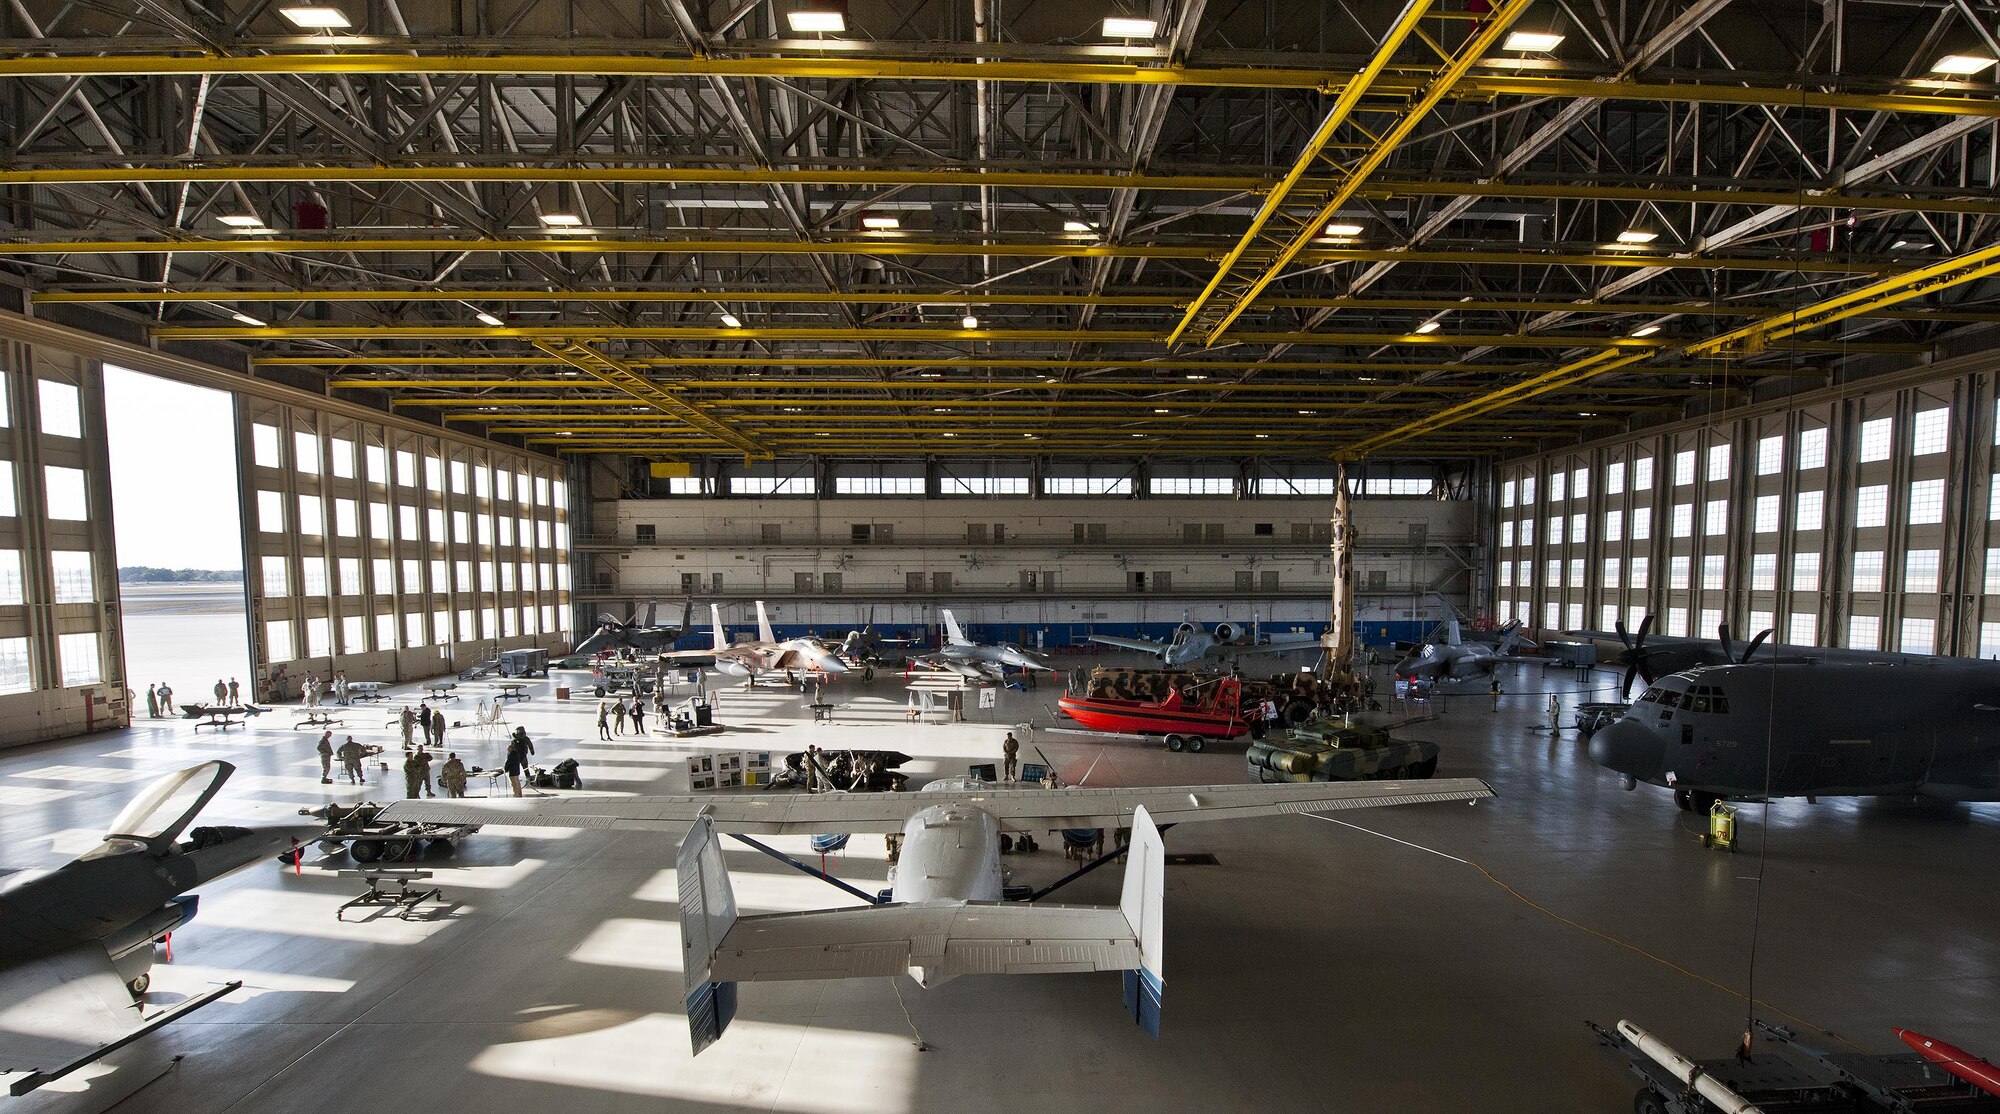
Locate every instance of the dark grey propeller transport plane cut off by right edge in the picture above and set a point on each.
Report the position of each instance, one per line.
(1769, 729)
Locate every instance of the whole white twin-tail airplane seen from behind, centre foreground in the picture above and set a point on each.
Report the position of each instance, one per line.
(945, 913)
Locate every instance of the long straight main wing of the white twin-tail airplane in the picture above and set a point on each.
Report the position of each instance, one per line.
(1019, 811)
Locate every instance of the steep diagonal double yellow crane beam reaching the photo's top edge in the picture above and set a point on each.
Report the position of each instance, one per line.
(1279, 237)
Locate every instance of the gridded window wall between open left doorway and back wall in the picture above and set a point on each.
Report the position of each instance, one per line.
(463, 549)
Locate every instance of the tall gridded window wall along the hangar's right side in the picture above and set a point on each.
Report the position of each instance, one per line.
(1849, 519)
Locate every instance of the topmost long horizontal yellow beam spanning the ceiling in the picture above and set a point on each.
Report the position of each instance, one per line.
(1929, 97)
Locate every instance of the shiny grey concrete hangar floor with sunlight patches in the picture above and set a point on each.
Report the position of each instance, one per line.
(1405, 959)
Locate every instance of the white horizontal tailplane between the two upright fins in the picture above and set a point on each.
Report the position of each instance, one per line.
(949, 941)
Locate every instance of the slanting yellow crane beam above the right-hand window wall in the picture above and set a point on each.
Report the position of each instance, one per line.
(1737, 343)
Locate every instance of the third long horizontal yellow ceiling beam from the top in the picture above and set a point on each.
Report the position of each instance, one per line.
(895, 245)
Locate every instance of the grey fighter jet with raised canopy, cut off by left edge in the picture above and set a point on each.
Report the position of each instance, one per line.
(77, 943)
